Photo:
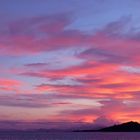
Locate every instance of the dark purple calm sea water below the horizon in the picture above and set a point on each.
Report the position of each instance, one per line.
(71, 136)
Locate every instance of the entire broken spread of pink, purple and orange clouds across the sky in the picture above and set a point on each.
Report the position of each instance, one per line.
(100, 75)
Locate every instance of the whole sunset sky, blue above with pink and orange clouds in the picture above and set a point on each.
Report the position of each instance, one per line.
(69, 61)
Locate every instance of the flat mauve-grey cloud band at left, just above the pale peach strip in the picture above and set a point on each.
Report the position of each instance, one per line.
(29, 101)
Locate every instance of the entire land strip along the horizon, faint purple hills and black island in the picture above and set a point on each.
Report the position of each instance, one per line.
(124, 127)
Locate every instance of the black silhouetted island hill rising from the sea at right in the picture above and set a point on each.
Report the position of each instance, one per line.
(124, 127)
